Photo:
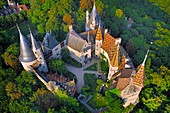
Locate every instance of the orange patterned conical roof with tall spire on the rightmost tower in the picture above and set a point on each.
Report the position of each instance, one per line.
(140, 75)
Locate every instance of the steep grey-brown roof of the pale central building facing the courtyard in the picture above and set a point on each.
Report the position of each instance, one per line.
(75, 41)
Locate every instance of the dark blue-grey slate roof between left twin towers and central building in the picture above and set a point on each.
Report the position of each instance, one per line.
(50, 41)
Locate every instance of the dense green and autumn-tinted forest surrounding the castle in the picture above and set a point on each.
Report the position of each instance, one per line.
(22, 92)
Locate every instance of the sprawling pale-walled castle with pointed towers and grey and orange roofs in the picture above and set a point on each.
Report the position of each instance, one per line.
(83, 46)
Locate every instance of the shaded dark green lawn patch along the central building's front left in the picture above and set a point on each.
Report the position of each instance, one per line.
(72, 61)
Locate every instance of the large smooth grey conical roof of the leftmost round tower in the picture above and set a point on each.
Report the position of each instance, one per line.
(26, 54)
